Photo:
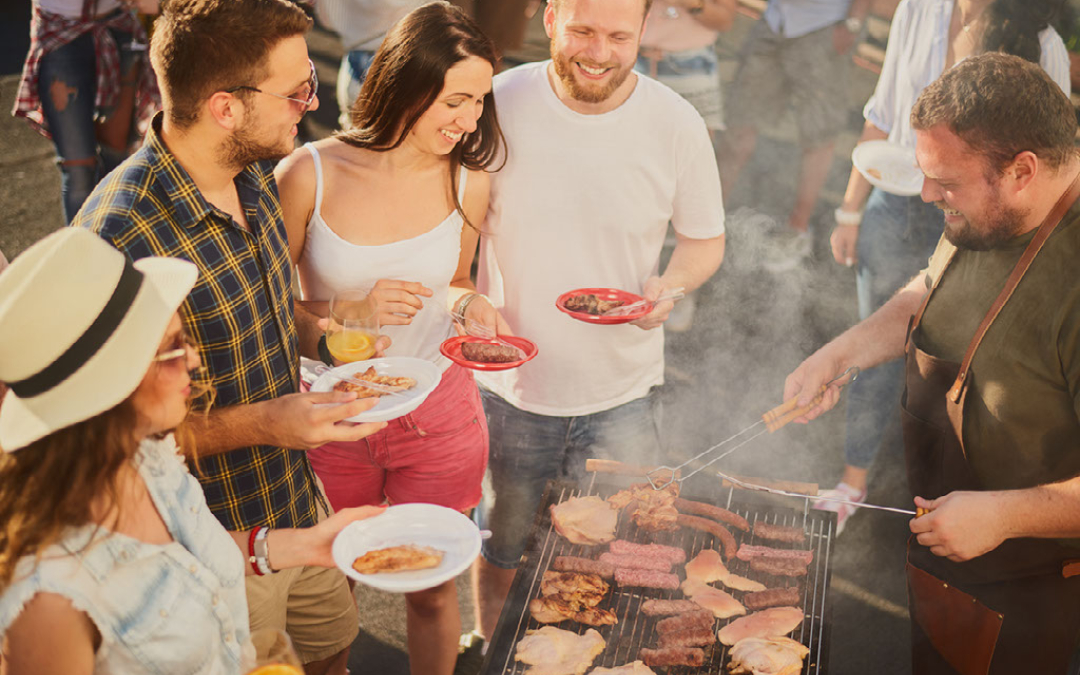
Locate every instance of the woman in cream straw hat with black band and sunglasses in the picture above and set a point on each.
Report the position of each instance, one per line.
(111, 561)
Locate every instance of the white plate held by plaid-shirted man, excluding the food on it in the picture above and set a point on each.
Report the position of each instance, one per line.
(426, 374)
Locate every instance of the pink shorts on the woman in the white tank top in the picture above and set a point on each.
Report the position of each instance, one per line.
(435, 455)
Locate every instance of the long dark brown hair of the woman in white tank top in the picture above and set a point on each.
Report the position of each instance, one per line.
(407, 76)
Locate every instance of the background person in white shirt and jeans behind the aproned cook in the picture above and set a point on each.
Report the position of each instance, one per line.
(897, 235)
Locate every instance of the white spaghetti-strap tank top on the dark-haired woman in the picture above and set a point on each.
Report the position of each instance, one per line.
(331, 264)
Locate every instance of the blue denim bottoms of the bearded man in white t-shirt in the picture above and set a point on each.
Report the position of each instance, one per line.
(529, 450)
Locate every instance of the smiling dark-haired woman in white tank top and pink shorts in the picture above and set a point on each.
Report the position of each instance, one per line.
(397, 204)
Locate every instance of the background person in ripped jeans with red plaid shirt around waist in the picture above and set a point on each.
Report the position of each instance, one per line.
(88, 87)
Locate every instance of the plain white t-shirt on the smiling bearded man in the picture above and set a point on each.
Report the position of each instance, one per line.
(585, 201)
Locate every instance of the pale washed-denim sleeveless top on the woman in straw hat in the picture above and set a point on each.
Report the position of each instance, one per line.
(177, 609)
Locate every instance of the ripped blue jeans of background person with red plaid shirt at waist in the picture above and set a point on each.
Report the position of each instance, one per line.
(67, 86)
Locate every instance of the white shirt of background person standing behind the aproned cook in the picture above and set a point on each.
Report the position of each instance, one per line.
(919, 46)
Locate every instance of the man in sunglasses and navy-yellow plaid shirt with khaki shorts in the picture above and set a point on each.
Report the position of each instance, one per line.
(236, 82)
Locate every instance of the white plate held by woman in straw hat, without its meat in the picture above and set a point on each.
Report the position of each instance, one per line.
(425, 525)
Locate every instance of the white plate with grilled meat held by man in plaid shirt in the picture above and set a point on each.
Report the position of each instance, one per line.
(413, 380)
